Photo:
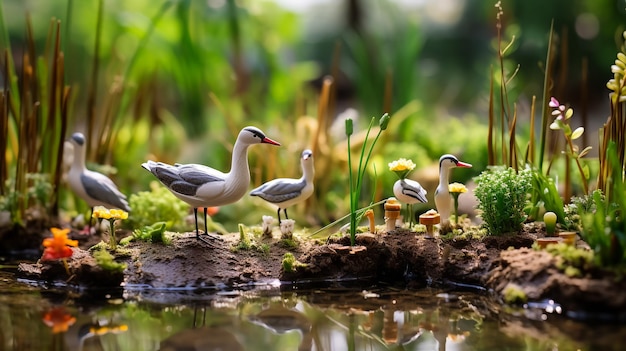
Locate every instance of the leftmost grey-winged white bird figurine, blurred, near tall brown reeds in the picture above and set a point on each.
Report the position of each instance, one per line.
(94, 188)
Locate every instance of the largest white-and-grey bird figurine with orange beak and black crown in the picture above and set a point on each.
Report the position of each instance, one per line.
(202, 186)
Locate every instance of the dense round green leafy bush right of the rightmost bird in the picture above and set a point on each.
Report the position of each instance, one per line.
(502, 195)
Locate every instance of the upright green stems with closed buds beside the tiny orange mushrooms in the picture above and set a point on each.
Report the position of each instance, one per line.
(356, 184)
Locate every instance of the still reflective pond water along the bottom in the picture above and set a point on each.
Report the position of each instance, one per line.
(275, 317)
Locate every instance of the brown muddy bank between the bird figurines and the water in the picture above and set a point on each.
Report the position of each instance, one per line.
(399, 258)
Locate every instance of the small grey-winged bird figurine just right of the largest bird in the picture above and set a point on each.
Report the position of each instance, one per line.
(285, 192)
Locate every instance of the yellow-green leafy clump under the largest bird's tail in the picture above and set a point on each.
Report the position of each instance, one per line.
(157, 205)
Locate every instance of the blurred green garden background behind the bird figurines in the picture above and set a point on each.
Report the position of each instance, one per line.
(175, 81)
